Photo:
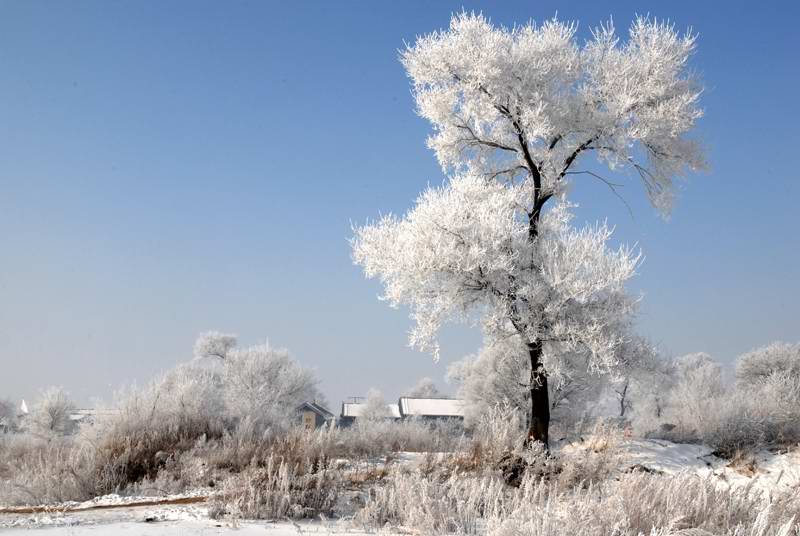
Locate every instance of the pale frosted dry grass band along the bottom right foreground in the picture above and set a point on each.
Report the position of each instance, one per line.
(632, 504)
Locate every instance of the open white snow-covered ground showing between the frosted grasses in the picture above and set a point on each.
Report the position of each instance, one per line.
(186, 514)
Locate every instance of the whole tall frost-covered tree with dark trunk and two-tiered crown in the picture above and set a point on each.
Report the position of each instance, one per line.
(515, 112)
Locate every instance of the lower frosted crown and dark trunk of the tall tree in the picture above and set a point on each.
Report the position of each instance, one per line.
(464, 252)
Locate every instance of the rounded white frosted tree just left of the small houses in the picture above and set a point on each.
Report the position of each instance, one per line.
(266, 385)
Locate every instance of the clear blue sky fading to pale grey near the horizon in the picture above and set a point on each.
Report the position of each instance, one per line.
(172, 167)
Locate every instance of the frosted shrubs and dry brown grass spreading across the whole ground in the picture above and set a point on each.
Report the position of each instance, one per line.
(179, 434)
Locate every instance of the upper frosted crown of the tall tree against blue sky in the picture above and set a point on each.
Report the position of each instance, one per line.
(525, 104)
